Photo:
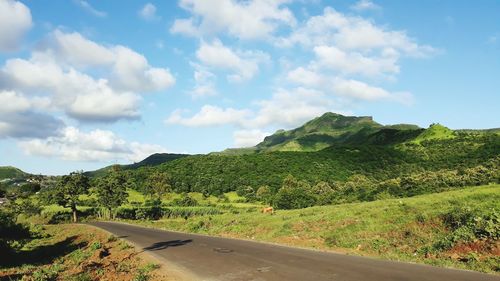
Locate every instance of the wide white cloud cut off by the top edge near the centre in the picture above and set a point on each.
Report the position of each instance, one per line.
(252, 19)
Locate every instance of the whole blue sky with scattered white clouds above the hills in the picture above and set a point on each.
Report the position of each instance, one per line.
(85, 84)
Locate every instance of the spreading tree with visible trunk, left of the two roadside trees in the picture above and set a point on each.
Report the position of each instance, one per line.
(67, 191)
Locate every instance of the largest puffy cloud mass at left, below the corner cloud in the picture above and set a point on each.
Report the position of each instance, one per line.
(57, 68)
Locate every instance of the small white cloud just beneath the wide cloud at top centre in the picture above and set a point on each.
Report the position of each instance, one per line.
(244, 65)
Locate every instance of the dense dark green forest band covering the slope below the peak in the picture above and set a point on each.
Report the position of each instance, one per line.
(410, 168)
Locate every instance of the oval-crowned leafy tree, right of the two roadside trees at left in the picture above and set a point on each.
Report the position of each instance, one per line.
(112, 190)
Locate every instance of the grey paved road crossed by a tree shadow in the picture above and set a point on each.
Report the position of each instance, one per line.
(212, 258)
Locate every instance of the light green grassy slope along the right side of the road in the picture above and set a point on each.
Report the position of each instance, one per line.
(396, 229)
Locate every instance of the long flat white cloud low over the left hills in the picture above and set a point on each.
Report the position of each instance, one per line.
(98, 145)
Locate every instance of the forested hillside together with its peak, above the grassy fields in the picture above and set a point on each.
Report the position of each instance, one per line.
(363, 160)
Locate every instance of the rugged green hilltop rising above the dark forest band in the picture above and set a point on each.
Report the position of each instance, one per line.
(335, 129)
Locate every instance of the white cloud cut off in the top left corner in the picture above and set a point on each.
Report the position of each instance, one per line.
(15, 21)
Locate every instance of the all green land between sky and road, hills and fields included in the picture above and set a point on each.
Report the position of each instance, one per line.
(337, 182)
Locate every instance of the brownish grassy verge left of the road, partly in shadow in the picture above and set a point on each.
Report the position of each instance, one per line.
(79, 253)
